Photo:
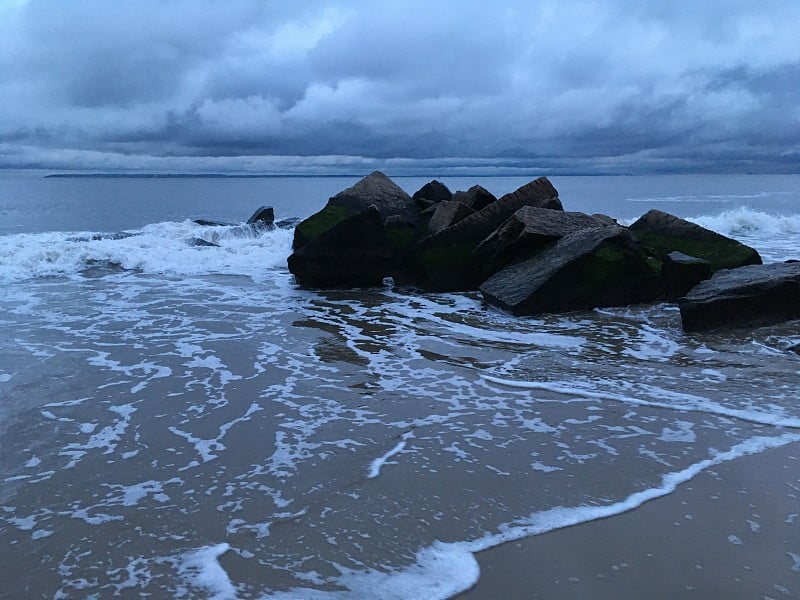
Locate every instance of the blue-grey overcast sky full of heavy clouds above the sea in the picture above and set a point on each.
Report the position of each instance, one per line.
(442, 87)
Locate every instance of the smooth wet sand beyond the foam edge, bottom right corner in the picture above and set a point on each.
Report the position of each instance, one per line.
(731, 532)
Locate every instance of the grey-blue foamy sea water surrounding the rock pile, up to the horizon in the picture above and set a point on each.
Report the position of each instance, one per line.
(185, 422)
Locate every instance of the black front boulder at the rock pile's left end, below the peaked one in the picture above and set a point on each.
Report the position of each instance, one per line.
(353, 252)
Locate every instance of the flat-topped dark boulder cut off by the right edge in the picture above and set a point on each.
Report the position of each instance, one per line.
(749, 296)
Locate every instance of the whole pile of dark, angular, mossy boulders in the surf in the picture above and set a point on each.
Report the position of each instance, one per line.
(527, 255)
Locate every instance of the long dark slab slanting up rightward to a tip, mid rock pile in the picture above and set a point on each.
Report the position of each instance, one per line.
(446, 262)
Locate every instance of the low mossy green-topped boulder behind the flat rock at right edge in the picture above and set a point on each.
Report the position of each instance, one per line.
(665, 233)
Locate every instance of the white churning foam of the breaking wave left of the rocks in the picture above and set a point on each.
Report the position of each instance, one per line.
(160, 248)
